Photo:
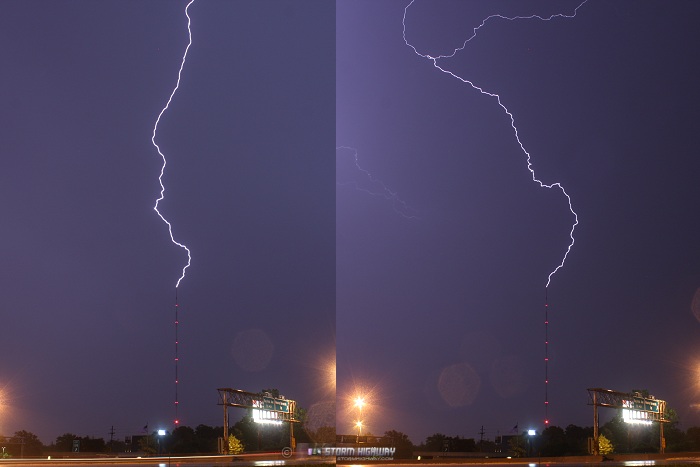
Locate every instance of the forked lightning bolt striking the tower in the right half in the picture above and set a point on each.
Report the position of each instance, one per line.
(494, 95)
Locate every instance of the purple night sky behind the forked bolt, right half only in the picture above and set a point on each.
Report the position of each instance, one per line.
(444, 242)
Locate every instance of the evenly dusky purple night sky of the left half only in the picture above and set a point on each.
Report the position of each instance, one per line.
(88, 269)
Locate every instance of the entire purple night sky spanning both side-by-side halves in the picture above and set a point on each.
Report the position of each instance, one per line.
(417, 255)
